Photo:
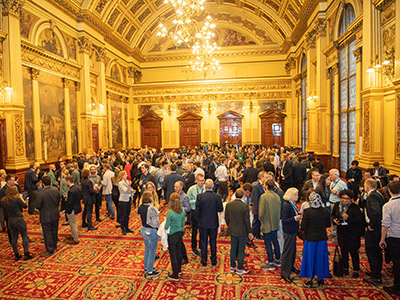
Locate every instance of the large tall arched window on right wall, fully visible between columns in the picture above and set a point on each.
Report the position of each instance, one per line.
(347, 95)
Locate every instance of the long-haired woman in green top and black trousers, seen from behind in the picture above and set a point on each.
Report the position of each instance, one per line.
(175, 222)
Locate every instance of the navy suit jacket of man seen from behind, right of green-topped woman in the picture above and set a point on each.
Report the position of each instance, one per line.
(208, 205)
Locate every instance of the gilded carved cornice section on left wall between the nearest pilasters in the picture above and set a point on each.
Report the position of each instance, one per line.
(37, 58)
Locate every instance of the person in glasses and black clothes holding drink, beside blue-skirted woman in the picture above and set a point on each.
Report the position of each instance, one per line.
(348, 218)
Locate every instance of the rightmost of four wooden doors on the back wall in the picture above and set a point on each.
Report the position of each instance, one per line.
(272, 128)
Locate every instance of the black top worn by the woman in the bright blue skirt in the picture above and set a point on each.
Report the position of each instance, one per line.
(314, 224)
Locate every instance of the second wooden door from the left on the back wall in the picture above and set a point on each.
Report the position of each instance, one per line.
(189, 130)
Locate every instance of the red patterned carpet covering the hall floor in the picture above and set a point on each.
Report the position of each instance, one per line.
(107, 265)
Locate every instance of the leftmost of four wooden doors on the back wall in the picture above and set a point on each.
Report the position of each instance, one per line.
(150, 131)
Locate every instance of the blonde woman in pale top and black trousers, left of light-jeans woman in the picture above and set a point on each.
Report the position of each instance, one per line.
(125, 198)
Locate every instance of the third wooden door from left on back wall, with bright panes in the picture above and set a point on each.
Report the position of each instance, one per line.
(230, 128)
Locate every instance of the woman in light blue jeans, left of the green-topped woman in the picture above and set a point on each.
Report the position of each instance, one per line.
(150, 223)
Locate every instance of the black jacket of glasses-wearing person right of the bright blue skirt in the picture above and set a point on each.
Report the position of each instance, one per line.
(349, 234)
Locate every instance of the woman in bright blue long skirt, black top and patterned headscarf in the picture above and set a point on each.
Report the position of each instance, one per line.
(315, 260)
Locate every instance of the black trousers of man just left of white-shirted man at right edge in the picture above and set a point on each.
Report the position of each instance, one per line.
(374, 252)
